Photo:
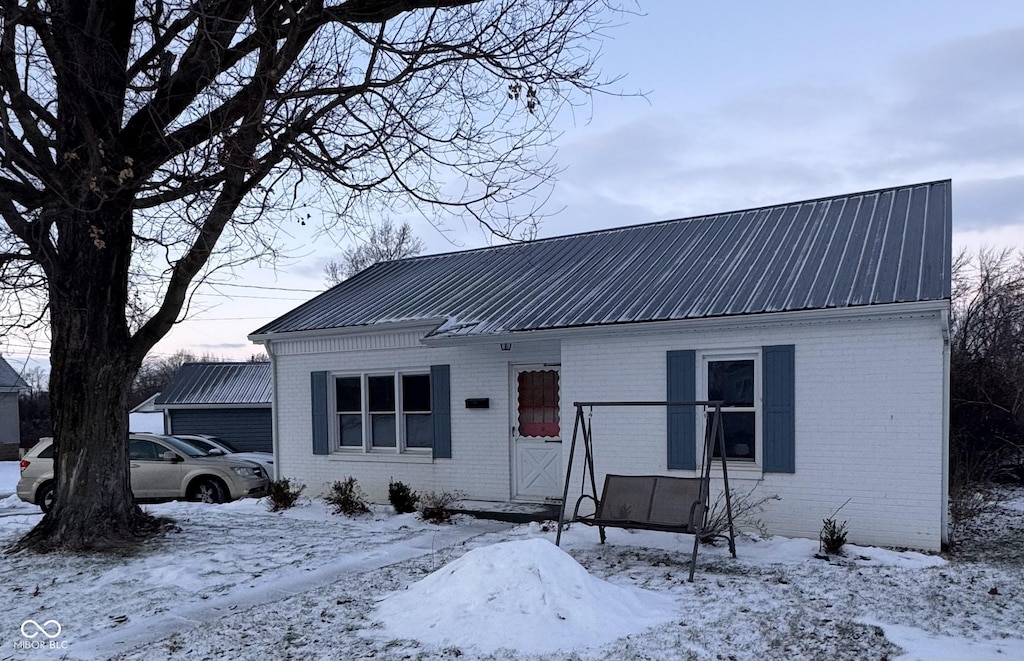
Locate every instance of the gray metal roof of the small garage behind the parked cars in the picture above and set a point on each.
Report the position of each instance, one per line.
(219, 383)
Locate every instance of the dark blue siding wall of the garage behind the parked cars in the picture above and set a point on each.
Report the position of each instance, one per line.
(249, 430)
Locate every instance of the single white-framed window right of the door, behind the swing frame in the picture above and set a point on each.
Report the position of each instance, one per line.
(736, 380)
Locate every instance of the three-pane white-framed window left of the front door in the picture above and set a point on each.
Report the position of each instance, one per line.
(383, 413)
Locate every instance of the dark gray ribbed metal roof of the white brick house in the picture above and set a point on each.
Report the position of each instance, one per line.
(888, 246)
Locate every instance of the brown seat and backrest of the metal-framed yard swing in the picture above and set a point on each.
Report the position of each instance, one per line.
(651, 503)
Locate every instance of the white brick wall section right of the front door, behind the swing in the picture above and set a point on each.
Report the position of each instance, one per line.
(869, 422)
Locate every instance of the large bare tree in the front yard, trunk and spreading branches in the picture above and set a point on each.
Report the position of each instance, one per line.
(147, 144)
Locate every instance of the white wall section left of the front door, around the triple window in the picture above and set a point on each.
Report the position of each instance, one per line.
(481, 443)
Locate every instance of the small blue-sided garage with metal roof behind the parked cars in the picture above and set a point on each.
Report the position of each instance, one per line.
(231, 401)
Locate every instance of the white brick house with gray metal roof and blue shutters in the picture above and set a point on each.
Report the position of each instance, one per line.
(826, 323)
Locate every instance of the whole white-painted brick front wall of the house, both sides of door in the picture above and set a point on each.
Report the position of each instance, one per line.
(869, 428)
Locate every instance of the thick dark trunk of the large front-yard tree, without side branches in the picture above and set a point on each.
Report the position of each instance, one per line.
(93, 362)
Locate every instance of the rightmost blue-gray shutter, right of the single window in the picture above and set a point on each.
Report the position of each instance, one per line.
(780, 411)
